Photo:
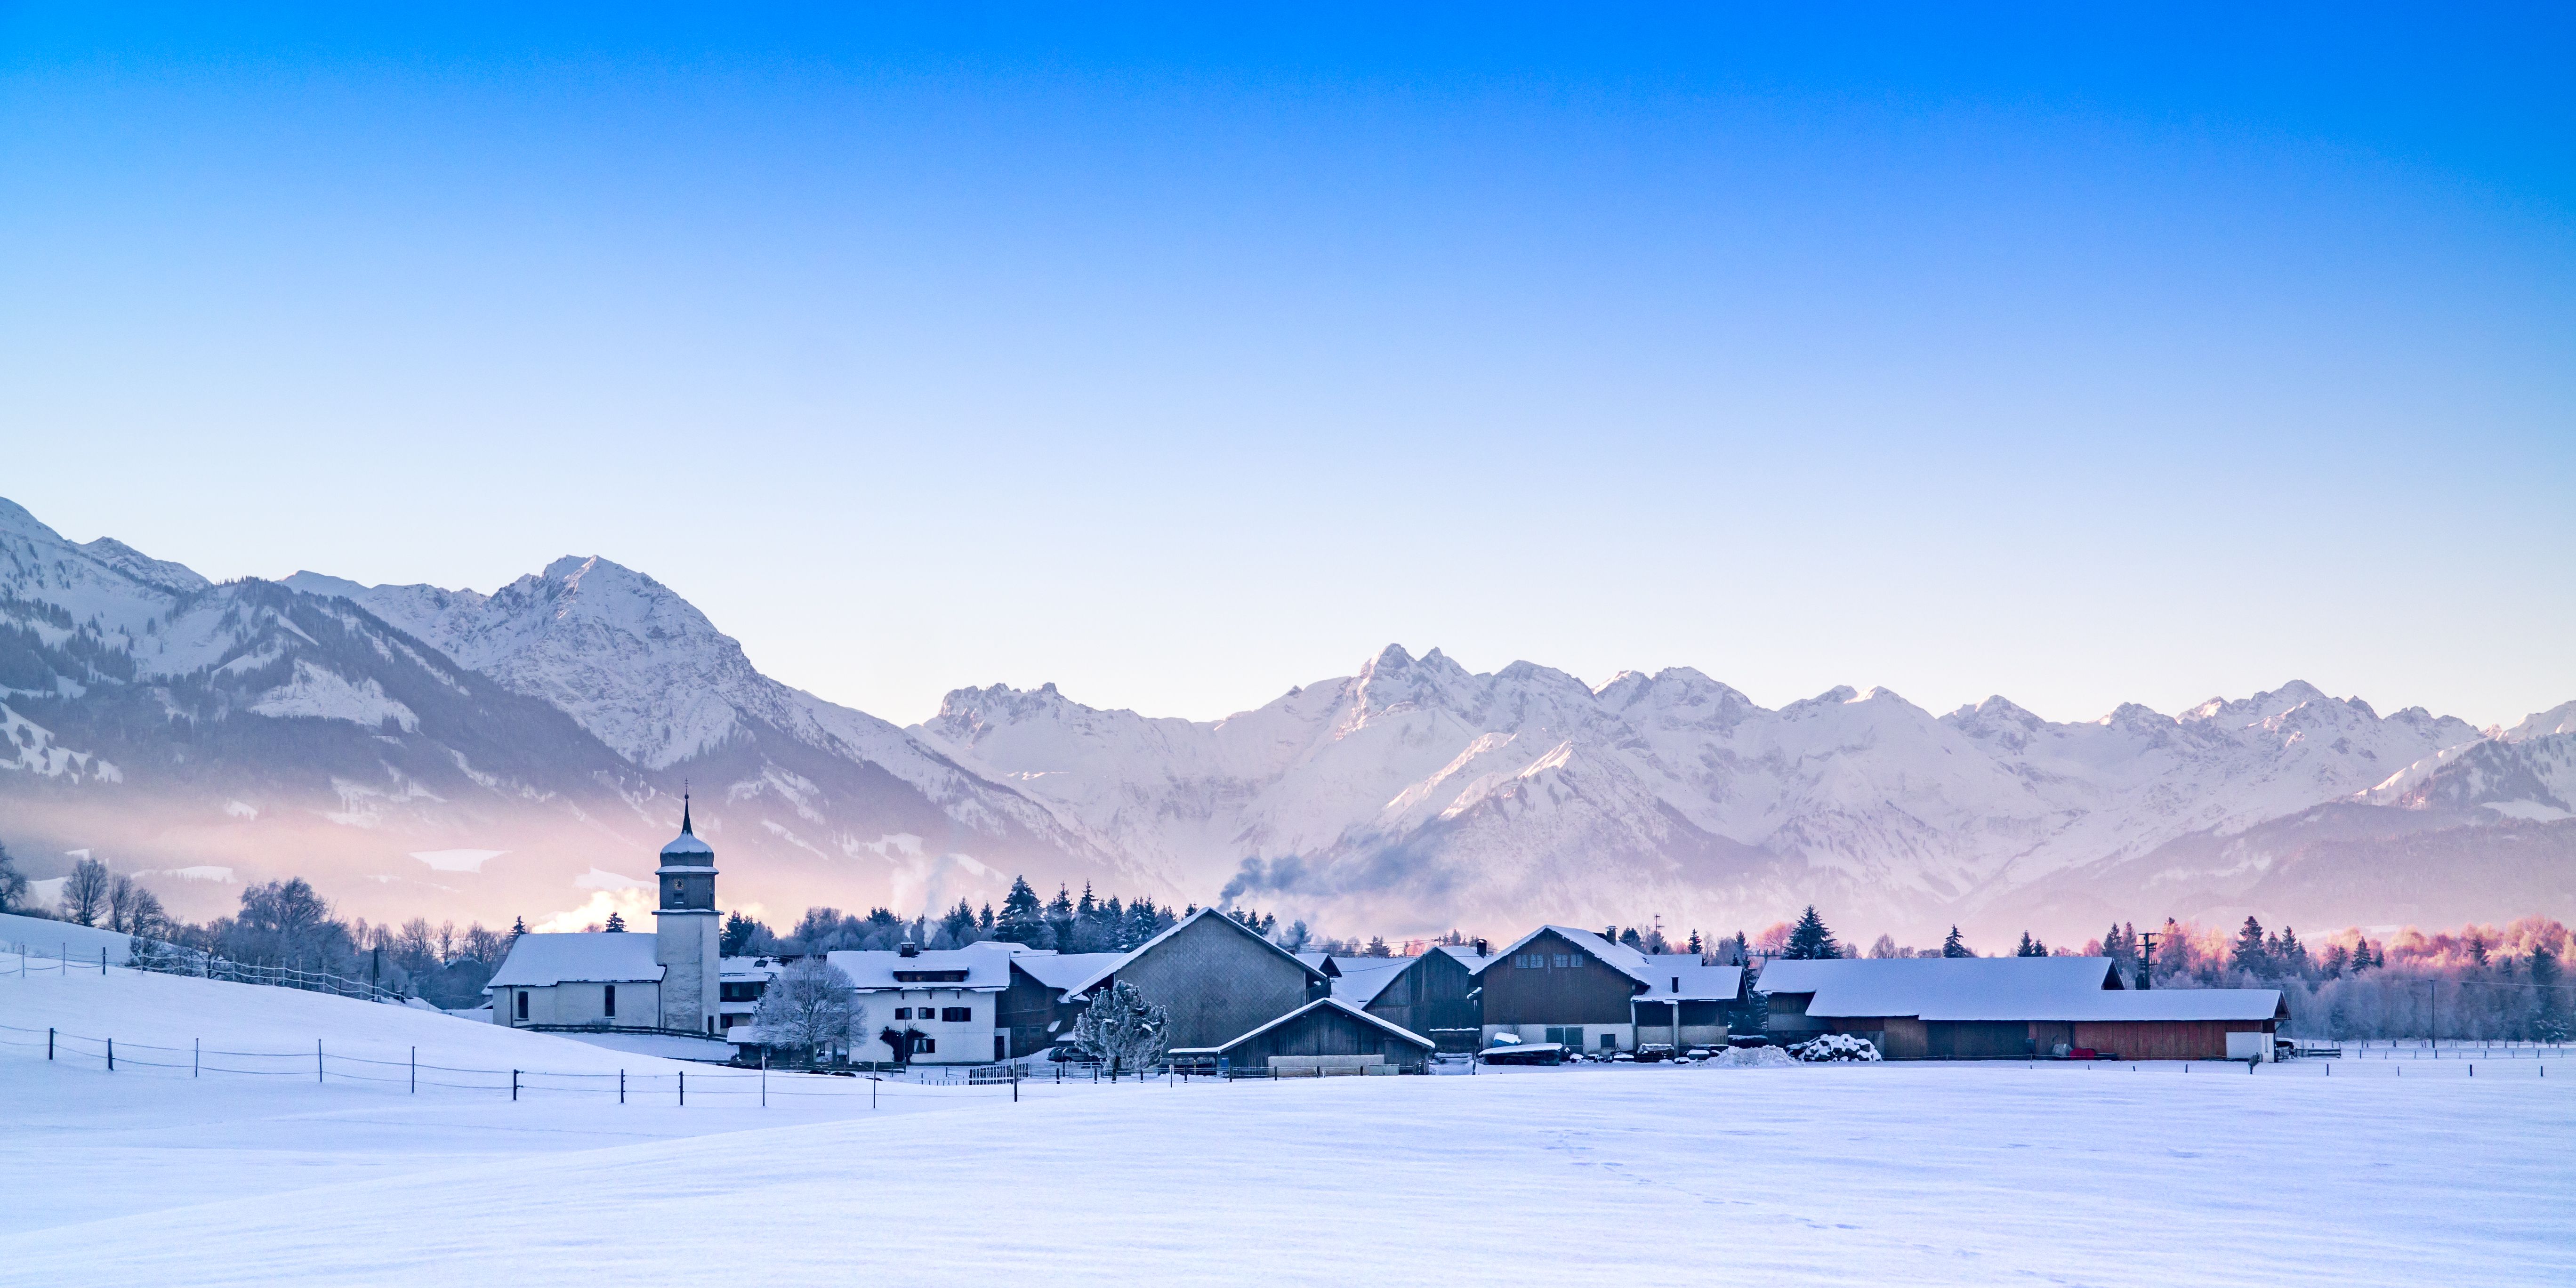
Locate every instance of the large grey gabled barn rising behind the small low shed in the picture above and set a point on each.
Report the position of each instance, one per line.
(1215, 980)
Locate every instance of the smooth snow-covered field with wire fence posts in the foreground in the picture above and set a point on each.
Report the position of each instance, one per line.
(1877, 1173)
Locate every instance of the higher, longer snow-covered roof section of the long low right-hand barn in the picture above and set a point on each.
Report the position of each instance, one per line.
(1949, 988)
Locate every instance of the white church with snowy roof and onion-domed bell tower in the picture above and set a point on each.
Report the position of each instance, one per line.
(620, 980)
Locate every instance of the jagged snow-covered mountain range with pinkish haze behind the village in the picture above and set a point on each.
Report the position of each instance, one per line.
(511, 753)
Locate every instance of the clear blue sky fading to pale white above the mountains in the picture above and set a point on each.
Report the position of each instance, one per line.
(1186, 357)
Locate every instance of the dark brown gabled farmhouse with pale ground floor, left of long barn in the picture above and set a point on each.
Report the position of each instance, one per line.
(1562, 985)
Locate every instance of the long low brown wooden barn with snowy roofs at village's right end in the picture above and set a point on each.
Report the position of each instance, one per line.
(2013, 1009)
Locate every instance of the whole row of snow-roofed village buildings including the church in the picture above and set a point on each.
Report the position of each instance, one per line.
(1215, 996)
